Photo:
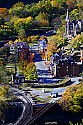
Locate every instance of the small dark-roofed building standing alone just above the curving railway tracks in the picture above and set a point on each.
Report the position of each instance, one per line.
(18, 78)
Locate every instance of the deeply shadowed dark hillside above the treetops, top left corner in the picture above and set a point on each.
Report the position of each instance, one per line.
(9, 3)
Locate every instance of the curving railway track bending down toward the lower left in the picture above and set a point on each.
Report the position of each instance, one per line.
(27, 107)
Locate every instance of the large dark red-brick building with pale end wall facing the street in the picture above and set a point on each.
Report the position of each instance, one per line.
(64, 66)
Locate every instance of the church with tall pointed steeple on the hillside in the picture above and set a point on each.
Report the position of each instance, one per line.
(73, 27)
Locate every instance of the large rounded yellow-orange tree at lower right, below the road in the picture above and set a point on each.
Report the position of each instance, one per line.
(72, 98)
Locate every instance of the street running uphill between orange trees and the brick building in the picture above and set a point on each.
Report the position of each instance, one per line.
(43, 75)
